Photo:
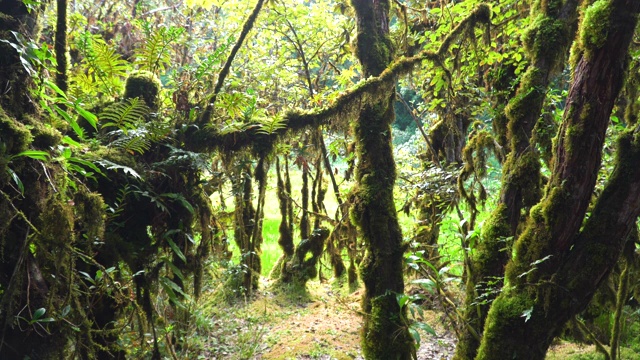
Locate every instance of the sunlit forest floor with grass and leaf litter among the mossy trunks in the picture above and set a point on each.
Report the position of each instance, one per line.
(322, 322)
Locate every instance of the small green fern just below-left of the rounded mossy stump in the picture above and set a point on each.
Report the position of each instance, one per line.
(125, 115)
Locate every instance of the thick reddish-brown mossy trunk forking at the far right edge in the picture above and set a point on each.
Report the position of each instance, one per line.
(561, 258)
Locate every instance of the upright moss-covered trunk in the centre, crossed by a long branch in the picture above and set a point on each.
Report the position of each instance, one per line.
(384, 334)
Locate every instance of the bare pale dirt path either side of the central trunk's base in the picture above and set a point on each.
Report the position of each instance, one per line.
(324, 324)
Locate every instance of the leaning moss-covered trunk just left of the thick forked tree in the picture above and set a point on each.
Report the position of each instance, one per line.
(547, 42)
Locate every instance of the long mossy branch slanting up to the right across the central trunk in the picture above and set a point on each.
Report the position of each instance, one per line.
(347, 105)
